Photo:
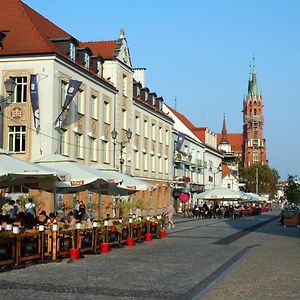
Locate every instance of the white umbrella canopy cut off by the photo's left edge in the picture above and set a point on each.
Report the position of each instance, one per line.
(14, 171)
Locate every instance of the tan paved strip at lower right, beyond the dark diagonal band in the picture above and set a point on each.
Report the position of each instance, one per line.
(270, 271)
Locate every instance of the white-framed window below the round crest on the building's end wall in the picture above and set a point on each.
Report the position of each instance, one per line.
(17, 138)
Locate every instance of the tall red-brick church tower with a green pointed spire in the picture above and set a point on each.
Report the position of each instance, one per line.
(254, 144)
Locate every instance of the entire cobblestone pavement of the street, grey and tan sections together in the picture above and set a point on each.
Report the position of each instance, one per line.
(248, 258)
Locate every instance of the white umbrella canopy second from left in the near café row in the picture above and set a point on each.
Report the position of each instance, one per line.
(78, 177)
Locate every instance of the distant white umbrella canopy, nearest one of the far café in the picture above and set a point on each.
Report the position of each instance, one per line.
(220, 193)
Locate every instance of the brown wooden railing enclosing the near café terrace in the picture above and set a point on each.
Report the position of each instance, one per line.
(45, 244)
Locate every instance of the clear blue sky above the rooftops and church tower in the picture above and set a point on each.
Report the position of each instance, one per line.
(199, 51)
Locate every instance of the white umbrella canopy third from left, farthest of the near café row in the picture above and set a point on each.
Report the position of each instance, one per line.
(126, 184)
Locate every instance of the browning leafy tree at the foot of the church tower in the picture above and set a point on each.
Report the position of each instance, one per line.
(259, 178)
